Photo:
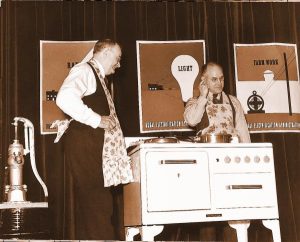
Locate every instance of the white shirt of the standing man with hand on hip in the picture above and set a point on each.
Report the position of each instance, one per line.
(79, 83)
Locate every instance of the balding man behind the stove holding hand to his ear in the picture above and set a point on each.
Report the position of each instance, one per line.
(215, 112)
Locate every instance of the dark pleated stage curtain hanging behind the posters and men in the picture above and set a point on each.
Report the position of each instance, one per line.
(25, 23)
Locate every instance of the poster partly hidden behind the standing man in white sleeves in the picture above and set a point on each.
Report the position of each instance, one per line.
(56, 60)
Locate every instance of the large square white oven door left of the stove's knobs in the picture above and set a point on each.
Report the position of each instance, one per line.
(177, 180)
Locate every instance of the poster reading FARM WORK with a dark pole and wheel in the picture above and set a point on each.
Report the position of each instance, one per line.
(267, 85)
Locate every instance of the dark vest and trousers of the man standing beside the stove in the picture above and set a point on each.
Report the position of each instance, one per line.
(83, 155)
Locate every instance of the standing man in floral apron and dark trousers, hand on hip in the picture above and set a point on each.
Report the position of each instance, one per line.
(95, 152)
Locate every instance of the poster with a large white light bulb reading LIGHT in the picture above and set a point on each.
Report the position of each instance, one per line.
(168, 75)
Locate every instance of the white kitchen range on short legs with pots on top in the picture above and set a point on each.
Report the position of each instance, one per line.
(187, 182)
